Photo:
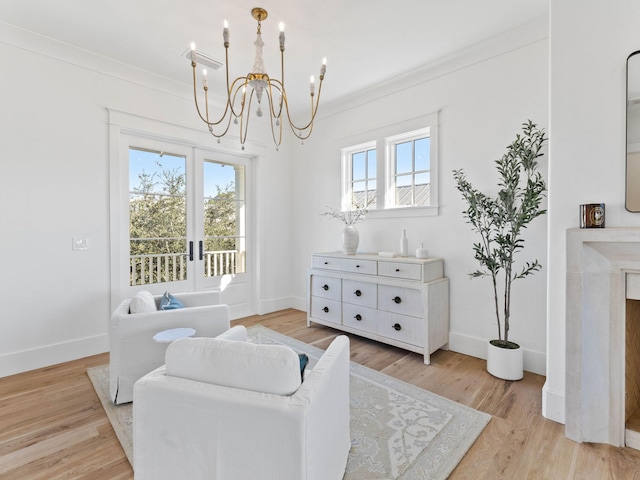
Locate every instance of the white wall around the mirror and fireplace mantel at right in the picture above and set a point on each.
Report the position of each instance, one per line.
(590, 42)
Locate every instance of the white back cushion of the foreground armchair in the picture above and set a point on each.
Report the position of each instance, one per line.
(248, 366)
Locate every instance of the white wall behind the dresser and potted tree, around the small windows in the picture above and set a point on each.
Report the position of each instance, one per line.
(483, 96)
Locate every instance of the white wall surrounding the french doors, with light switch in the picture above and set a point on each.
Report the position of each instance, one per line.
(55, 186)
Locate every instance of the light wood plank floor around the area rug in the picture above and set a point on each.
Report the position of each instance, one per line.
(52, 425)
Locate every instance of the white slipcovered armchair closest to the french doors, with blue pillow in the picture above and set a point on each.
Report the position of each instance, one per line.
(134, 353)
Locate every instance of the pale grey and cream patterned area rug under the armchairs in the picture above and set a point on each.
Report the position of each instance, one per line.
(398, 431)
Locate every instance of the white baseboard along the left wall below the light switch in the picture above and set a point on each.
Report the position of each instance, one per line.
(26, 360)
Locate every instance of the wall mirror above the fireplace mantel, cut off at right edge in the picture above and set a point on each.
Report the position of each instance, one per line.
(632, 198)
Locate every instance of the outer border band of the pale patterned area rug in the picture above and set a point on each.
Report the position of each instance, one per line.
(445, 451)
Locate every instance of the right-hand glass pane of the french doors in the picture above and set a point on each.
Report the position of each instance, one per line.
(224, 251)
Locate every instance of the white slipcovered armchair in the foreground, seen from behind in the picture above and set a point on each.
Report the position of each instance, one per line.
(199, 428)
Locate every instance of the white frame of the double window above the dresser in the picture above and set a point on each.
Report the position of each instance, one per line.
(385, 138)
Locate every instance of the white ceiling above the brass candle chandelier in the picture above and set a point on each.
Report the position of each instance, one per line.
(365, 42)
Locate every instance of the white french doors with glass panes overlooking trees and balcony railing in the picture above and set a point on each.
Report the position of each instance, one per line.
(187, 225)
